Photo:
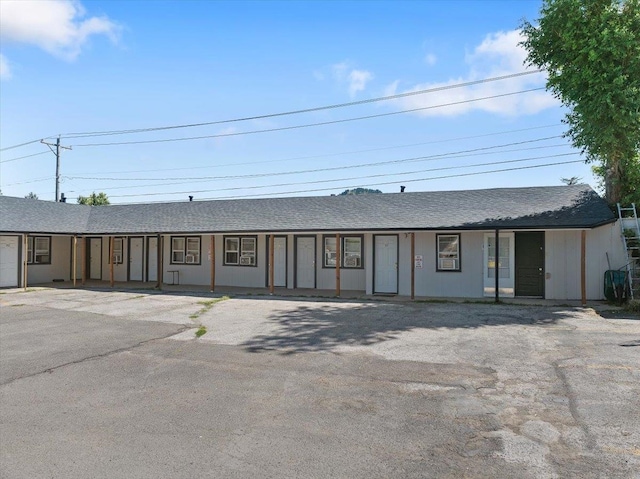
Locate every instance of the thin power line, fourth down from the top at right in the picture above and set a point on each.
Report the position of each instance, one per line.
(333, 168)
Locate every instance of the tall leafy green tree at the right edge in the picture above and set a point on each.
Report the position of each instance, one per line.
(591, 51)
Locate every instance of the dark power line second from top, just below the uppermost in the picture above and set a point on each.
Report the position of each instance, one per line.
(332, 122)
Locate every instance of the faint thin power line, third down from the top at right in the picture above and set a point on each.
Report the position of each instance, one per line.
(308, 157)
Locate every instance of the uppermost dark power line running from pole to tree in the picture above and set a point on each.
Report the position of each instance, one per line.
(296, 112)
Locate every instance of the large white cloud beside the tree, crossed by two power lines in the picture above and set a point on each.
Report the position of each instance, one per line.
(498, 55)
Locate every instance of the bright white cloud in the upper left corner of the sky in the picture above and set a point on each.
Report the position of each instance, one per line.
(59, 27)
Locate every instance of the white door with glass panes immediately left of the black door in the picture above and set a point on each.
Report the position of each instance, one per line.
(506, 265)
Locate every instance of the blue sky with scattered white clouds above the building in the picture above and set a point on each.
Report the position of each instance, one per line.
(94, 66)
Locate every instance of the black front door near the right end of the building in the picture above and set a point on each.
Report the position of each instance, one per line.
(530, 264)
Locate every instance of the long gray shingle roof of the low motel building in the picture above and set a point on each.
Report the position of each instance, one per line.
(575, 206)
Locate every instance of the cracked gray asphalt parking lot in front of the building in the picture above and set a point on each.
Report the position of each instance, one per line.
(115, 384)
